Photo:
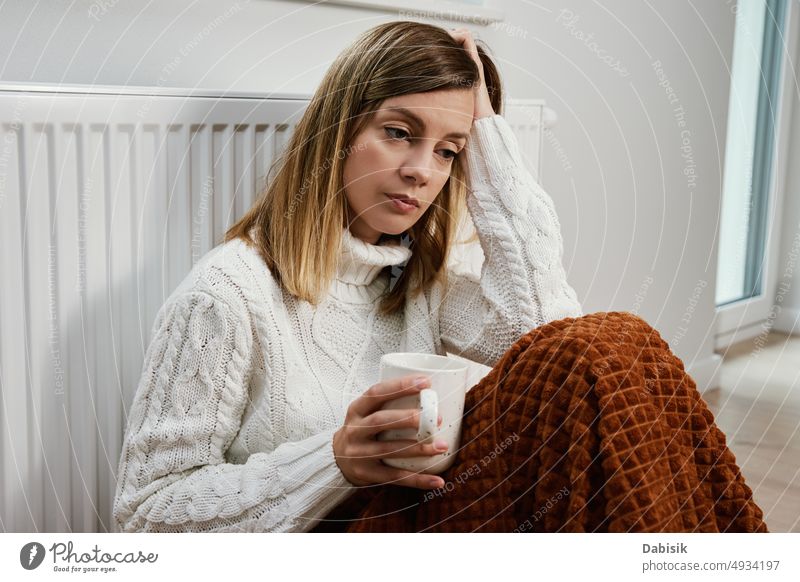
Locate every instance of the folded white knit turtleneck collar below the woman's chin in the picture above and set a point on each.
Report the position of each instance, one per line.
(360, 263)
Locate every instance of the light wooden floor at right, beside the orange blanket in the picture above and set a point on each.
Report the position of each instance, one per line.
(758, 408)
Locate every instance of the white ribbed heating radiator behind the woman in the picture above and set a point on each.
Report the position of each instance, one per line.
(108, 195)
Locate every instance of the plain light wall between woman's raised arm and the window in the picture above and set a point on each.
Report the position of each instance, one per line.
(639, 233)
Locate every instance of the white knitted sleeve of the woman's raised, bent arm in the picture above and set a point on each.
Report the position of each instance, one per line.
(523, 283)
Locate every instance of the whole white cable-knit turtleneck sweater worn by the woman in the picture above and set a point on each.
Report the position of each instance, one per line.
(243, 386)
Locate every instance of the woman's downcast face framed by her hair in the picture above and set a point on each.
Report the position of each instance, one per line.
(396, 154)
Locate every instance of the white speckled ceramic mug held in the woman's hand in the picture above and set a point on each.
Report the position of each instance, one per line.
(445, 397)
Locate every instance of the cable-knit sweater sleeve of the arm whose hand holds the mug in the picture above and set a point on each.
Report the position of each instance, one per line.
(187, 410)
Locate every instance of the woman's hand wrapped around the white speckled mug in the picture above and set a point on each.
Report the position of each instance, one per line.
(359, 454)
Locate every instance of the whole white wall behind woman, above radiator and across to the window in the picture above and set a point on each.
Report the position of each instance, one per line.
(639, 232)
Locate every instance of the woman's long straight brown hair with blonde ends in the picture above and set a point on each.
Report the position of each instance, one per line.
(297, 222)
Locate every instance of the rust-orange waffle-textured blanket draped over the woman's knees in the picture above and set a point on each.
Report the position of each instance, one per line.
(586, 424)
